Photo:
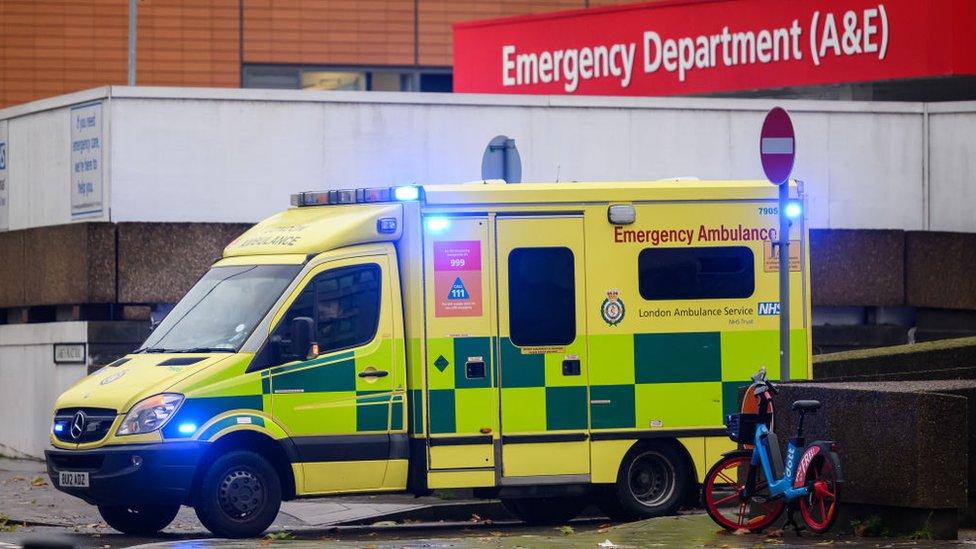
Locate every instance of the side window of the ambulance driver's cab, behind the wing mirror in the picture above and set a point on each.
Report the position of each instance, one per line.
(345, 305)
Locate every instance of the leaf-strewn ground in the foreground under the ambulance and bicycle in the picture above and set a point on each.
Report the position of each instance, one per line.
(33, 514)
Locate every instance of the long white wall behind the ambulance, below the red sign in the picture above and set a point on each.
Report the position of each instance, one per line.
(234, 155)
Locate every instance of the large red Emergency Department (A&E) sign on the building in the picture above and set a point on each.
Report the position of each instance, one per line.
(700, 46)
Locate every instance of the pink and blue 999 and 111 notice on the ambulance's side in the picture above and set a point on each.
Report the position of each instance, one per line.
(457, 278)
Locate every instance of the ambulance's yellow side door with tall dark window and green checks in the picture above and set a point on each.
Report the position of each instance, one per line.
(542, 357)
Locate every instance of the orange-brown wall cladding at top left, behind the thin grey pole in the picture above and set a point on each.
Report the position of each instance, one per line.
(51, 47)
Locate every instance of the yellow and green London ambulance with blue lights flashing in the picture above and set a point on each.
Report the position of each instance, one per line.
(553, 345)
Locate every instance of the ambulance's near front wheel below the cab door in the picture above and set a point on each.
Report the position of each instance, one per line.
(240, 495)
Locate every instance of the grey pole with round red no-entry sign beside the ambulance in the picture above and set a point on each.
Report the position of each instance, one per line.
(777, 151)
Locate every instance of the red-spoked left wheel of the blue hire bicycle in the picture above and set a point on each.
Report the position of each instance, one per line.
(724, 484)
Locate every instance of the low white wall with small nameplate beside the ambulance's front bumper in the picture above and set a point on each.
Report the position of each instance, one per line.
(30, 382)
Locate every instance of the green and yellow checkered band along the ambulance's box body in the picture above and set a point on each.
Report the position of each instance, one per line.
(637, 381)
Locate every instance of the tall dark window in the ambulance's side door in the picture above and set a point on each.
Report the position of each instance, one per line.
(541, 296)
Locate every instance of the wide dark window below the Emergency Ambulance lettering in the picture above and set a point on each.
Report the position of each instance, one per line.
(696, 273)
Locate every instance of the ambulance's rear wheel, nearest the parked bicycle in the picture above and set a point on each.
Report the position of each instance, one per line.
(652, 482)
